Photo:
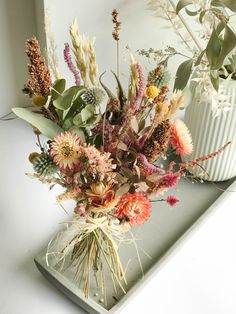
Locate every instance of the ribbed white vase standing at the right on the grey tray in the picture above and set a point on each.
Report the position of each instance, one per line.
(210, 132)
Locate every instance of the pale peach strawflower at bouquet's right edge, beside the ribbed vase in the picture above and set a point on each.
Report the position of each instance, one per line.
(181, 138)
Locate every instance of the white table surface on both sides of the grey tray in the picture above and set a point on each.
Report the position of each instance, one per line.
(199, 279)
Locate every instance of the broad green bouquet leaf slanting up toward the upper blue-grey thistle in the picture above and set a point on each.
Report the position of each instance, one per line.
(64, 101)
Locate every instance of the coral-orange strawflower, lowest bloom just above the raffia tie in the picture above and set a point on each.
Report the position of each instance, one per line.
(135, 208)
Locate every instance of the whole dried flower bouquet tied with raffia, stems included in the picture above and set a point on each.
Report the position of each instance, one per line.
(108, 161)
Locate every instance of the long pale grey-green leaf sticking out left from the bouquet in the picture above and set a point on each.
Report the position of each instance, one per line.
(44, 125)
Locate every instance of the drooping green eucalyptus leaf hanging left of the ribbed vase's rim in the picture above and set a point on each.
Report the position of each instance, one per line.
(183, 74)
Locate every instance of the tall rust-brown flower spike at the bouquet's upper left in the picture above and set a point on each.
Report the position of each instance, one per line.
(40, 81)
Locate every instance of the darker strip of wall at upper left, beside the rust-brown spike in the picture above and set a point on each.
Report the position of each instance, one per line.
(17, 24)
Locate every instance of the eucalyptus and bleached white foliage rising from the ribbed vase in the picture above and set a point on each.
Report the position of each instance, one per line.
(217, 34)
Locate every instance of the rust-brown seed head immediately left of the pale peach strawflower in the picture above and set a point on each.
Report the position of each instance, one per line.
(158, 142)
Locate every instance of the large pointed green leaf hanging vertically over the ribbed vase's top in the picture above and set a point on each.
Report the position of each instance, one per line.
(213, 49)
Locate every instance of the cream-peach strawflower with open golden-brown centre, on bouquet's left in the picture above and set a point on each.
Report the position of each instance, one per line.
(64, 150)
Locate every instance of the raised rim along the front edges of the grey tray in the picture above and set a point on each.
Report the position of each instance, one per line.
(154, 269)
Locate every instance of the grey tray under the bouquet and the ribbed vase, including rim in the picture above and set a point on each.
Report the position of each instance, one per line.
(166, 230)
